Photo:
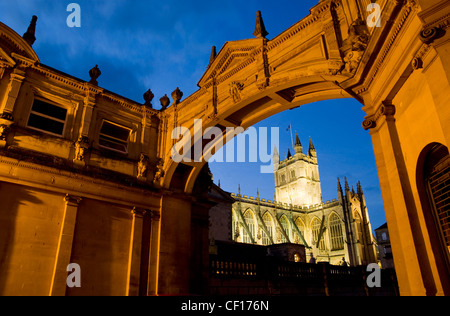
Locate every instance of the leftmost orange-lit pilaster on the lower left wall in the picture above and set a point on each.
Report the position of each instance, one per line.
(64, 250)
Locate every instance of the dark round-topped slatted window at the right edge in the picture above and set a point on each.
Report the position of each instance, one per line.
(437, 181)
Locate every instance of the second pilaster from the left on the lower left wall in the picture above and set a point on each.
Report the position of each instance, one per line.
(134, 262)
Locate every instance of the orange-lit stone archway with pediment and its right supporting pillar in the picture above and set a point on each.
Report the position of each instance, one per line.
(331, 54)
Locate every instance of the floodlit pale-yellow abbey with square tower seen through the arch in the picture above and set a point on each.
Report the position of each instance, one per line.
(338, 231)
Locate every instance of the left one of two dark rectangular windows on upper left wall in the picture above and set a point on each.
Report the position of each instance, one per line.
(47, 118)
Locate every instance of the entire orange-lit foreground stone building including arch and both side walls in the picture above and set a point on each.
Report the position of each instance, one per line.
(93, 183)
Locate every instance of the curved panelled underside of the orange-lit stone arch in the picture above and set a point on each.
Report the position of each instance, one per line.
(248, 112)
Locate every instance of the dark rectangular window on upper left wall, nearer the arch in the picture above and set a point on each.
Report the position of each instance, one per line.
(114, 137)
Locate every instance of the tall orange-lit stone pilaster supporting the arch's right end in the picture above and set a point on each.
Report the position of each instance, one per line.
(408, 245)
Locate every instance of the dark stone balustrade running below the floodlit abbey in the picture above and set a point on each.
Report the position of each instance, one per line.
(272, 277)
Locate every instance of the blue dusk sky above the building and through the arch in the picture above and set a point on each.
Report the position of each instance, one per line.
(161, 45)
